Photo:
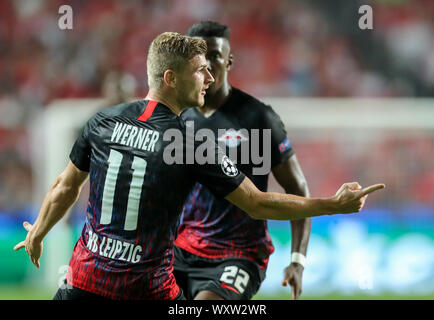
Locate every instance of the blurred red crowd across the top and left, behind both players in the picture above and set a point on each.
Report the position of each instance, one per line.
(282, 48)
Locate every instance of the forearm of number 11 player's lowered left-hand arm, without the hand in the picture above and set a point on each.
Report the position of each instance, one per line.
(57, 202)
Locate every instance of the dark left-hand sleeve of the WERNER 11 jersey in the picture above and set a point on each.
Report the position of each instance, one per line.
(81, 150)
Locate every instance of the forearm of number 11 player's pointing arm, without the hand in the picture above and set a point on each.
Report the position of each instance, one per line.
(277, 206)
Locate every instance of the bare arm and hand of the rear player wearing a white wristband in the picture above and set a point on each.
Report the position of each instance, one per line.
(290, 176)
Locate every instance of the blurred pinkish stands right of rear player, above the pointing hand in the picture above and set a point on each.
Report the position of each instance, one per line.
(404, 163)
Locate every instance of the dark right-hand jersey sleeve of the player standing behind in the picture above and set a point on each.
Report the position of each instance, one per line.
(281, 149)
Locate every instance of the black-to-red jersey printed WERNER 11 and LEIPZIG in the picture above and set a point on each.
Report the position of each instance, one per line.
(139, 180)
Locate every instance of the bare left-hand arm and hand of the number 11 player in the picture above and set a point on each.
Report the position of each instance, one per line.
(59, 199)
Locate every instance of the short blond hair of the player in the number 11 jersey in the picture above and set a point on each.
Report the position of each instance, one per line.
(171, 50)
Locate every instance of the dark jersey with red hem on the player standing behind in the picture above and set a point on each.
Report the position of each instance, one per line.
(212, 227)
